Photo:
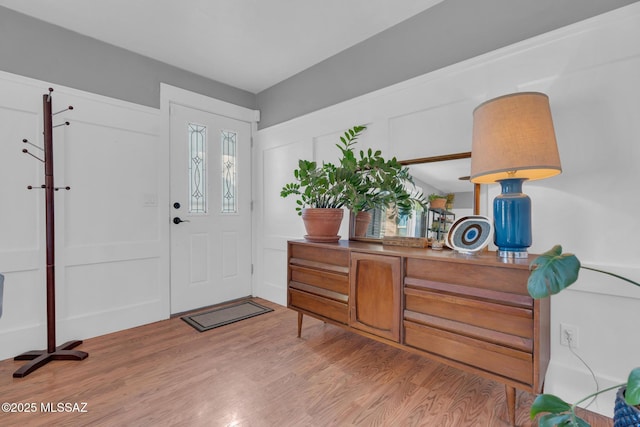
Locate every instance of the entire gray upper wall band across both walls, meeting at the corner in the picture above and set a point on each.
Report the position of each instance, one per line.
(450, 32)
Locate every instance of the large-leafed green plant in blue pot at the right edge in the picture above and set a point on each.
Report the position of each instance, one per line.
(552, 272)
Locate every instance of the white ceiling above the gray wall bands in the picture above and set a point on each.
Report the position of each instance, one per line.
(248, 44)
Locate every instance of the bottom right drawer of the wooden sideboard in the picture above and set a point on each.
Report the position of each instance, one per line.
(503, 361)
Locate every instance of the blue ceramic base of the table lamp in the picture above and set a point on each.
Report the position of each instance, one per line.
(512, 220)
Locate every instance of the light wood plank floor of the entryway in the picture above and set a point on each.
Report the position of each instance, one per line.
(255, 373)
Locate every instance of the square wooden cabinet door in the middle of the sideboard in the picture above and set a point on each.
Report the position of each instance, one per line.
(374, 303)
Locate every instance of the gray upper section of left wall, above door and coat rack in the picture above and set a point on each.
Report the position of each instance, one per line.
(33, 48)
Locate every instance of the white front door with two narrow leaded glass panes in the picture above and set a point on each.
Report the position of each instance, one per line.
(210, 209)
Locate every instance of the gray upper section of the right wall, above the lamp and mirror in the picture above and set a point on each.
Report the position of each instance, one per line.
(450, 32)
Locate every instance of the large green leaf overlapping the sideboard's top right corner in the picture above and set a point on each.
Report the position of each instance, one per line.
(552, 272)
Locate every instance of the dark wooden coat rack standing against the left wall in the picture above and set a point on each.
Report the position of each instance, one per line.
(40, 358)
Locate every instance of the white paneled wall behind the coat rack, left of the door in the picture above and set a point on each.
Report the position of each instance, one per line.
(112, 269)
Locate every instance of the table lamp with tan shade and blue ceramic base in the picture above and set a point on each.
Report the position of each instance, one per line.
(513, 141)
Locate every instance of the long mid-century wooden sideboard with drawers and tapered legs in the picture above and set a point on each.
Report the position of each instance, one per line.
(470, 312)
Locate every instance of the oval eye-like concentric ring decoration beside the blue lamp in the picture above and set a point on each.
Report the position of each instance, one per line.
(470, 234)
